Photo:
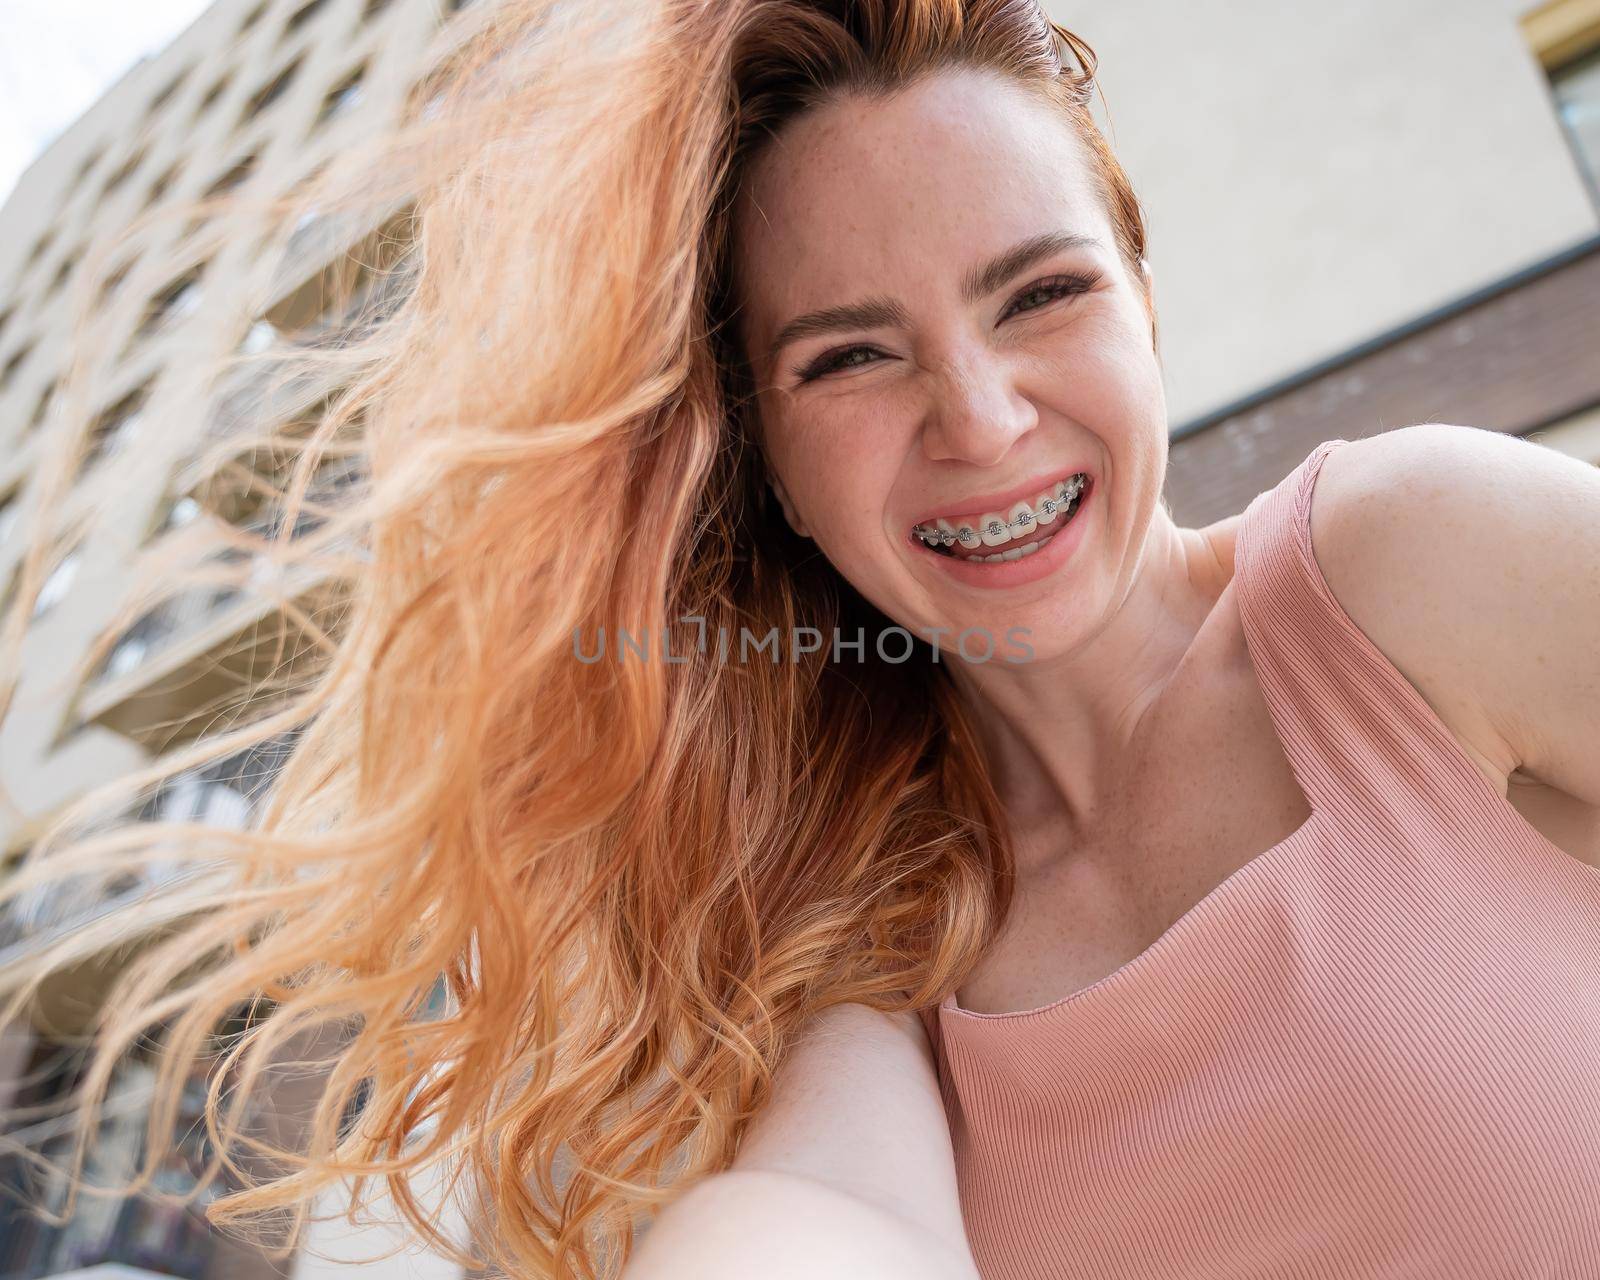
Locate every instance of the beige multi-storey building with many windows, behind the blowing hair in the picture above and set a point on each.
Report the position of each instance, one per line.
(252, 100)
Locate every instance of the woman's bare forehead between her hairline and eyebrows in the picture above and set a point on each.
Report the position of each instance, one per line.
(865, 196)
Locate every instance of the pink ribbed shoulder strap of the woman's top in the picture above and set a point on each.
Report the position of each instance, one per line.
(1359, 735)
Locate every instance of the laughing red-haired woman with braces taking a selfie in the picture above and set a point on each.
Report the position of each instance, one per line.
(1066, 892)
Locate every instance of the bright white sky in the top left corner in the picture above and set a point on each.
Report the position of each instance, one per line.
(57, 57)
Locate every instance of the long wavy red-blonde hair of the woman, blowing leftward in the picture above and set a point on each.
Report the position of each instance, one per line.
(639, 881)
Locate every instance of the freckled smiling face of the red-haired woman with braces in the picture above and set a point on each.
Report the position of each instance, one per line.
(950, 382)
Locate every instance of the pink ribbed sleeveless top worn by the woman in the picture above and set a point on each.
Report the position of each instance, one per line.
(1372, 1052)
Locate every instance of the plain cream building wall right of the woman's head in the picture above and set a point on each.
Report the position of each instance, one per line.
(1318, 175)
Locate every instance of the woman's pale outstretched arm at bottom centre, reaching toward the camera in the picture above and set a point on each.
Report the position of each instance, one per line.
(847, 1174)
